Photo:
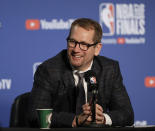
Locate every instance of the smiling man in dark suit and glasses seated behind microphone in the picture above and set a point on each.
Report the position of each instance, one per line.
(56, 80)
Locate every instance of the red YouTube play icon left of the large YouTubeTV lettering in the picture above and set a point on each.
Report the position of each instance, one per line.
(32, 24)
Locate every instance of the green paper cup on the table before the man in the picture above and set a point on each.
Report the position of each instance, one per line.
(44, 119)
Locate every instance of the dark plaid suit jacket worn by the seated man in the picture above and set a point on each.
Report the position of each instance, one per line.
(54, 87)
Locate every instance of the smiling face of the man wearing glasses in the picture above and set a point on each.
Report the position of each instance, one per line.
(78, 58)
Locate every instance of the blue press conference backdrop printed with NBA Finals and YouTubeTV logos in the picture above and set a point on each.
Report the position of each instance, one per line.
(32, 31)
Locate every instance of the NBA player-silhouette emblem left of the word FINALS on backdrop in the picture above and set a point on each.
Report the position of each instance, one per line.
(107, 18)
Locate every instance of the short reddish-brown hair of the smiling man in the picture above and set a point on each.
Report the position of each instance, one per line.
(88, 24)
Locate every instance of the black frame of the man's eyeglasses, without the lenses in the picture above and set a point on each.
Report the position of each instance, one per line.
(80, 43)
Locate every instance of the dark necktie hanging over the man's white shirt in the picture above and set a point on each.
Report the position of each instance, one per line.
(80, 94)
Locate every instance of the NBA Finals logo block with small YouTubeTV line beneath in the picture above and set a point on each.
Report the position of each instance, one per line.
(122, 23)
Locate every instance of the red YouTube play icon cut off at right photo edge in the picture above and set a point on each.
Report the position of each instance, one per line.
(150, 82)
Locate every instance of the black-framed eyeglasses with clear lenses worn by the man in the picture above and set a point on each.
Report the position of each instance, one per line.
(83, 46)
